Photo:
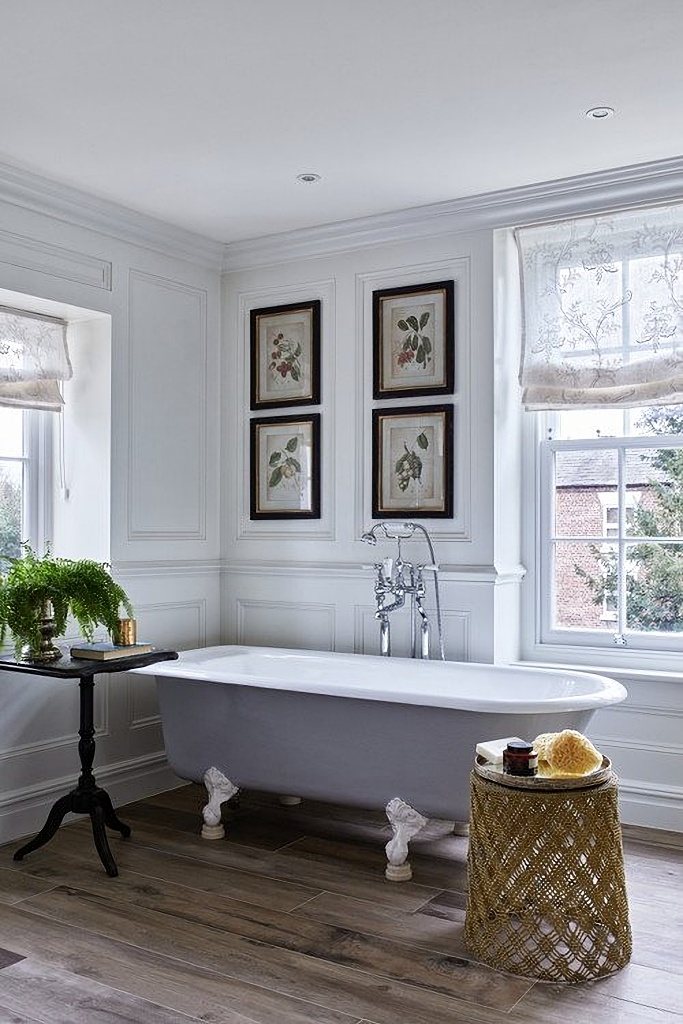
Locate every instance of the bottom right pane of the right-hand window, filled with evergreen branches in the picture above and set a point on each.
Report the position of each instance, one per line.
(655, 587)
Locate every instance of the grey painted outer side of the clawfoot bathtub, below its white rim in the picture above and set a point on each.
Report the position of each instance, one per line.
(343, 750)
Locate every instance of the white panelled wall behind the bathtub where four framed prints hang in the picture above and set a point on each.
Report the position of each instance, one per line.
(303, 584)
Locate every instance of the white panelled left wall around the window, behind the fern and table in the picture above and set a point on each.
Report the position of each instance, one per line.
(152, 502)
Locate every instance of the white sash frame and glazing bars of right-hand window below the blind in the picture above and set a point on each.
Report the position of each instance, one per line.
(547, 635)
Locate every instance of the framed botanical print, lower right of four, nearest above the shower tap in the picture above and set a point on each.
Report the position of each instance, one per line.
(413, 462)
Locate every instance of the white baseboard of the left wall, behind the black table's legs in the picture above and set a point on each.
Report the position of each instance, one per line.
(24, 812)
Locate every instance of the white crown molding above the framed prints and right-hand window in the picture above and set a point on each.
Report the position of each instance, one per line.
(619, 188)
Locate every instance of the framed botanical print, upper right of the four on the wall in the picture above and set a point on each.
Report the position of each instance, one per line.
(413, 340)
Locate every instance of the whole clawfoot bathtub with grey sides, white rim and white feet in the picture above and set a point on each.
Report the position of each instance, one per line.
(375, 733)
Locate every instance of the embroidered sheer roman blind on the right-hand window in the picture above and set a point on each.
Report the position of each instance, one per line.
(603, 305)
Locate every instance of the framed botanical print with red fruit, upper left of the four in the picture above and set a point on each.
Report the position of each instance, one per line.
(285, 356)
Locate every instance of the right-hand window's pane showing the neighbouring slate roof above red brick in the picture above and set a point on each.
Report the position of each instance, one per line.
(585, 489)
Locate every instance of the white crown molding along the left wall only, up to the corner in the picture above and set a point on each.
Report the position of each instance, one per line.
(25, 189)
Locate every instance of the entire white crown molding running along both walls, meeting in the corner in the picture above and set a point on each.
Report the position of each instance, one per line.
(634, 185)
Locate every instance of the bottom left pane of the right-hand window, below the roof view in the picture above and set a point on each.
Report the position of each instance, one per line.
(583, 596)
